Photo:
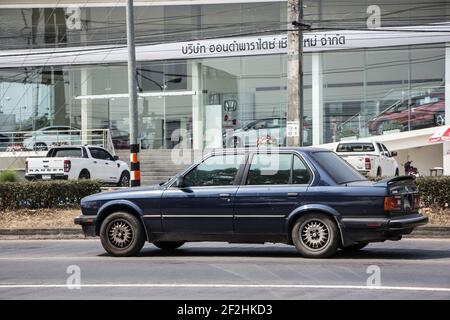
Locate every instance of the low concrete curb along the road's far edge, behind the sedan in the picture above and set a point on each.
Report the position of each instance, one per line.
(428, 231)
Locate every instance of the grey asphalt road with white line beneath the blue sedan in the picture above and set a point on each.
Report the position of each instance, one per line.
(407, 269)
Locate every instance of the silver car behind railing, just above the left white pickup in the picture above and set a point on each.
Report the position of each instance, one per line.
(52, 136)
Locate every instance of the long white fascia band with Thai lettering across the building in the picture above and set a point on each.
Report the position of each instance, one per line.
(227, 47)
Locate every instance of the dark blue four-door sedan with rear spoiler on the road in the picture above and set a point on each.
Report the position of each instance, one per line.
(306, 197)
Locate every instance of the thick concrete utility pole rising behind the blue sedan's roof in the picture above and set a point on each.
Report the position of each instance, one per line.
(295, 74)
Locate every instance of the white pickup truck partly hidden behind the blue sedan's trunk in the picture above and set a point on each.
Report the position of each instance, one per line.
(370, 158)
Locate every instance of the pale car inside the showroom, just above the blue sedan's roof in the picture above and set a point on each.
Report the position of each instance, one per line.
(273, 129)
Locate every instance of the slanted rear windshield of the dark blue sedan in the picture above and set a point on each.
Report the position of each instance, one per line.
(337, 168)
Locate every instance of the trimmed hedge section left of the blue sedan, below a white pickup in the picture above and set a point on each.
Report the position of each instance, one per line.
(45, 194)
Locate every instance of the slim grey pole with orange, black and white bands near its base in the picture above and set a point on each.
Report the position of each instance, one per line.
(135, 180)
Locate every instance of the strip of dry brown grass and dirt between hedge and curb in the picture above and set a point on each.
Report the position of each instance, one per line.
(52, 218)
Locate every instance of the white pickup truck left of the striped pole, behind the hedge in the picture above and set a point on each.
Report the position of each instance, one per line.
(78, 162)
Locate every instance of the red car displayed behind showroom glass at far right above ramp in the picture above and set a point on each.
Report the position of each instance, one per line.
(418, 112)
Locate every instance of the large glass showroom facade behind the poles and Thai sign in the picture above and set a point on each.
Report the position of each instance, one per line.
(222, 100)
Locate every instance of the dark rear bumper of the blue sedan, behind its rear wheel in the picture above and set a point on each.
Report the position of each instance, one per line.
(379, 229)
